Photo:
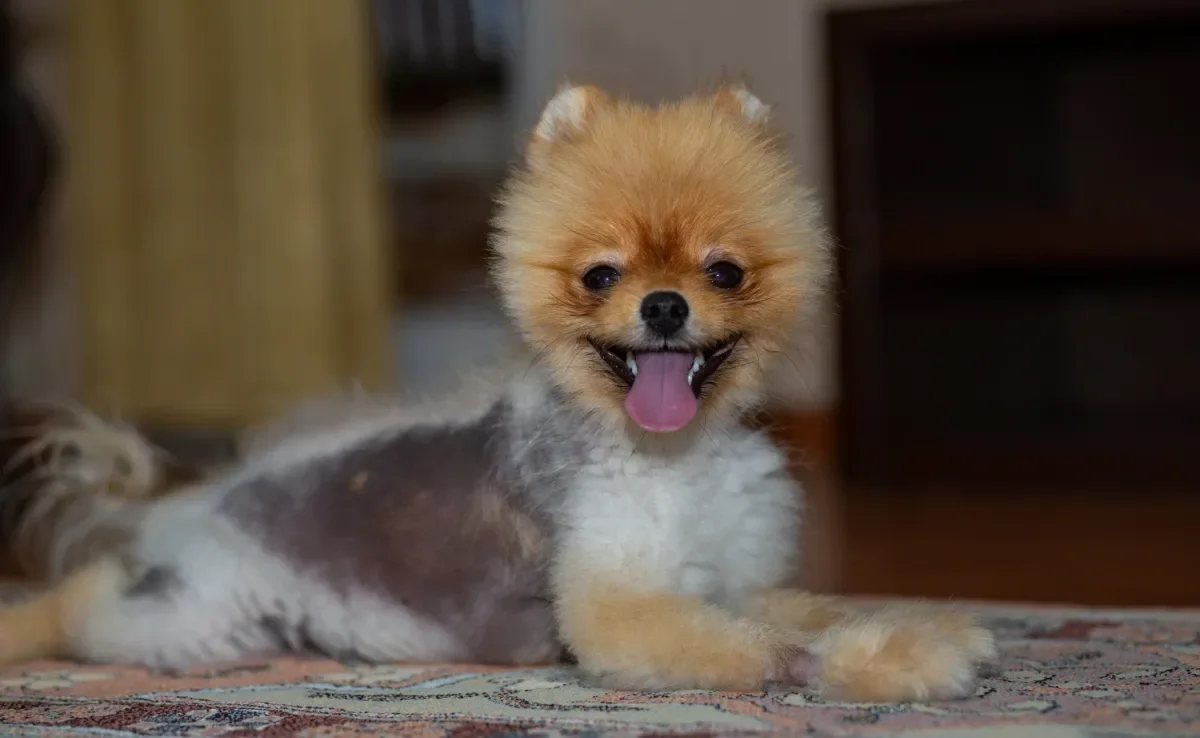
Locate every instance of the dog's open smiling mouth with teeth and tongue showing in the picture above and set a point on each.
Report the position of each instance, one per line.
(664, 386)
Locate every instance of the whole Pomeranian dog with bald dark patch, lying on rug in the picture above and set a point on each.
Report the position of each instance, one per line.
(608, 499)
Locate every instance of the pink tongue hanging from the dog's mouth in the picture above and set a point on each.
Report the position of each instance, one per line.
(662, 399)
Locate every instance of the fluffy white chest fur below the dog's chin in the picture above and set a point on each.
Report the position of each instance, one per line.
(717, 521)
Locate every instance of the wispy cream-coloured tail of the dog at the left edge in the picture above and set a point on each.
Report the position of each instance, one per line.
(74, 487)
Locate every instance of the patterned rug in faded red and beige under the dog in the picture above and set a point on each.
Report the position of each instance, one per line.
(1064, 675)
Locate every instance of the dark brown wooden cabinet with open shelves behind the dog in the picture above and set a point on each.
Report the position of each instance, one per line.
(1018, 197)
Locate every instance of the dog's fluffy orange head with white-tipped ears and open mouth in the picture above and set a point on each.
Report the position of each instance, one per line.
(657, 260)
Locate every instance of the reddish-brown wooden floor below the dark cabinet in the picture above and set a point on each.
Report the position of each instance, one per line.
(1130, 548)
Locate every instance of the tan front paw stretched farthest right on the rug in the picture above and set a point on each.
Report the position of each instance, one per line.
(904, 655)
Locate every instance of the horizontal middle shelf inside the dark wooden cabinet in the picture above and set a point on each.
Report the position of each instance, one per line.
(1039, 242)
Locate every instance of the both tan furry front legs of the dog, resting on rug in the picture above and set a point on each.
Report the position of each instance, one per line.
(664, 641)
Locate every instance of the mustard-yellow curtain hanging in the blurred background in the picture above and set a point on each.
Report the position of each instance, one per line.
(226, 200)
